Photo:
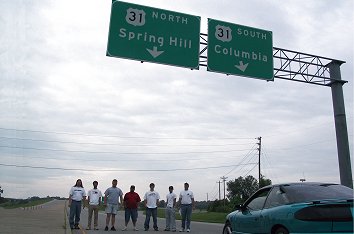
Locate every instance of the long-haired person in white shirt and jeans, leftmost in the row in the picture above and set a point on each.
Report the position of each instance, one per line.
(77, 194)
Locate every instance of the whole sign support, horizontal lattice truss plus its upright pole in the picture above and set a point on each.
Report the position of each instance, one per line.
(312, 69)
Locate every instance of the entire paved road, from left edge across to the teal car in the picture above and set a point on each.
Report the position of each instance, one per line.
(50, 218)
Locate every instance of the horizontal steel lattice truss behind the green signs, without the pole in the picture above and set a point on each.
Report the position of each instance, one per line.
(290, 65)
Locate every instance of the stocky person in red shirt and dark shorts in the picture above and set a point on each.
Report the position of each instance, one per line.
(131, 203)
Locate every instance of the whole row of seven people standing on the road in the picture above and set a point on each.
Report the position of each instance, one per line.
(113, 195)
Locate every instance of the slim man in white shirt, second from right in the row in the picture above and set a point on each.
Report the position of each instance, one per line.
(170, 210)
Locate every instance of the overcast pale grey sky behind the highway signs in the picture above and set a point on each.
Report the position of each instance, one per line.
(68, 111)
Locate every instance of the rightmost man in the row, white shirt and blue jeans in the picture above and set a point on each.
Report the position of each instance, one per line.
(186, 201)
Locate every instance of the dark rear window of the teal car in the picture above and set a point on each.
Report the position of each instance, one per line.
(314, 192)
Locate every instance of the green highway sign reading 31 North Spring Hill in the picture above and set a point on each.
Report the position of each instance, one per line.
(155, 35)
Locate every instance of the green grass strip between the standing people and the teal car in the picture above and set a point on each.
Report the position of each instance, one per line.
(199, 216)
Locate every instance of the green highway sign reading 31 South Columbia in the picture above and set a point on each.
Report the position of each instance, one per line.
(240, 50)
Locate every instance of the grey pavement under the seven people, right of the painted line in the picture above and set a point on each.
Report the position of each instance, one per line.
(196, 227)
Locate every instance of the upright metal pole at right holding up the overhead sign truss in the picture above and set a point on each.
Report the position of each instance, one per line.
(345, 170)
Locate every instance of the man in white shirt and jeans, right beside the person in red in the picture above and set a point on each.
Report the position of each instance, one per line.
(151, 200)
